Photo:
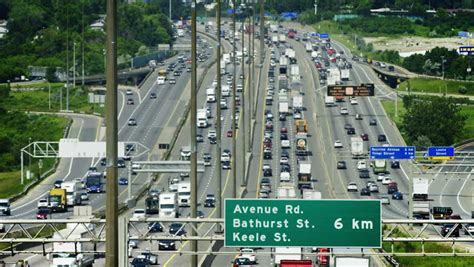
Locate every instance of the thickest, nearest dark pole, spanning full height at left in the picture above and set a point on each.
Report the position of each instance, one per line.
(111, 212)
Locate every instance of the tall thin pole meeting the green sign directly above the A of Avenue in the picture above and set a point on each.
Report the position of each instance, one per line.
(234, 145)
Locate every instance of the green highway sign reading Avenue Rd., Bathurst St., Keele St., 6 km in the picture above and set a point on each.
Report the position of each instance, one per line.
(303, 223)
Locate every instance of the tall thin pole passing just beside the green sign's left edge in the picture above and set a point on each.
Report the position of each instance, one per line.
(218, 120)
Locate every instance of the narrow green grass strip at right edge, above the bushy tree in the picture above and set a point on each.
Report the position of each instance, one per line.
(437, 86)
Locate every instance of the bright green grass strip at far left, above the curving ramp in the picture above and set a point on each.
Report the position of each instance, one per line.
(37, 98)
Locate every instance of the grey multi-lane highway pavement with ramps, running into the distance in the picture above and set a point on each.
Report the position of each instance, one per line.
(158, 109)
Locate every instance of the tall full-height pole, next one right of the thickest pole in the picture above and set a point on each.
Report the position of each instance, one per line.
(193, 245)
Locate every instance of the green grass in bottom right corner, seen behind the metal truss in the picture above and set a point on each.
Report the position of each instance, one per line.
(401, 247)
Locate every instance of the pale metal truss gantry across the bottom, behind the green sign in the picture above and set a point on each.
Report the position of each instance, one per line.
(395, 231)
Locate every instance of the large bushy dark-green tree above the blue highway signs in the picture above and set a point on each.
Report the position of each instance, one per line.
(439, 119)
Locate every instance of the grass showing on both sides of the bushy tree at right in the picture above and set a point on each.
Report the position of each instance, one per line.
(389, 107)
